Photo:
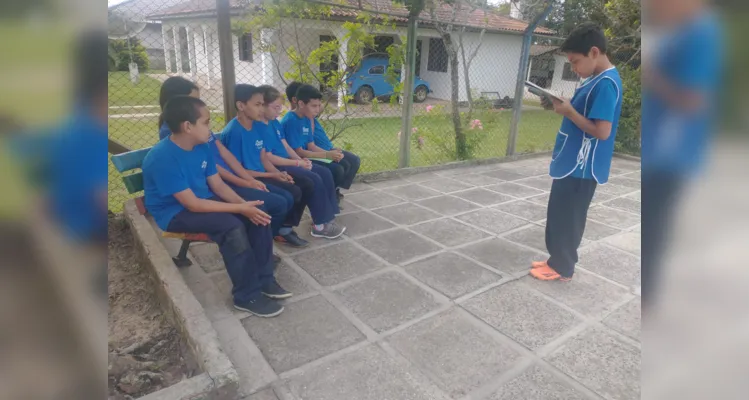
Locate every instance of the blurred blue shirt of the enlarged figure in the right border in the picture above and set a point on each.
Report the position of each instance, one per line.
(691, 57)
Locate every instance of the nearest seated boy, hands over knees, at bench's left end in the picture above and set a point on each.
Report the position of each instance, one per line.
(184, 193)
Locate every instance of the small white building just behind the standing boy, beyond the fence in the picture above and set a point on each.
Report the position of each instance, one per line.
(551, 70)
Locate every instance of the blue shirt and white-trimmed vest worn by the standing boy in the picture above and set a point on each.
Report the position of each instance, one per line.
(577, 153)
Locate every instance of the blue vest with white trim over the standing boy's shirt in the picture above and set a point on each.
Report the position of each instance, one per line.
(575, 150)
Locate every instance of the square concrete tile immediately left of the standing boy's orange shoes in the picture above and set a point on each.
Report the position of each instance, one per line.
(503, 255)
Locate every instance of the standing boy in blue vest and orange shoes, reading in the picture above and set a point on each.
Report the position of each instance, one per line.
(584, 147)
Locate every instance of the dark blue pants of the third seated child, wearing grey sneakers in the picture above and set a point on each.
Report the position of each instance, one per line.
(318, 190)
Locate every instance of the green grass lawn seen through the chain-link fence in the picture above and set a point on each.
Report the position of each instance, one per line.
(376, 140)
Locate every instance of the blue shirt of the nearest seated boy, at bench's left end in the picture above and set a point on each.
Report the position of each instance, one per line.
(168, 169)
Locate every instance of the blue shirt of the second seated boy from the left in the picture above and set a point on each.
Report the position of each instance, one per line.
(246, 145)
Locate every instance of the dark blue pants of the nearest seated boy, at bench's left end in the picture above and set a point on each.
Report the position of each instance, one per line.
(247, 248)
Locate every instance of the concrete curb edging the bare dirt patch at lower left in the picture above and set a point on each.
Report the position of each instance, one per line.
(219, 379)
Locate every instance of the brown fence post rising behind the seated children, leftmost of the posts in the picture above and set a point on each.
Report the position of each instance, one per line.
(226, 55)
